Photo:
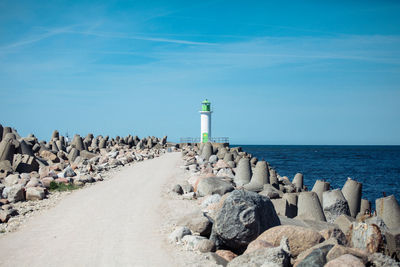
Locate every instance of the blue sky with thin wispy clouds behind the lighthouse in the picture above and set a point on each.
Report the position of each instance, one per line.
(276, 72)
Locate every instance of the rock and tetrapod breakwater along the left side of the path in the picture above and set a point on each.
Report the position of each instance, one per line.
(32, 171)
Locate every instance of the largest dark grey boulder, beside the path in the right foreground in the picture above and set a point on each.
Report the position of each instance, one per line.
(242, 218)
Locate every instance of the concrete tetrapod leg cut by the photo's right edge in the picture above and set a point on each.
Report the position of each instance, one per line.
(388, 209)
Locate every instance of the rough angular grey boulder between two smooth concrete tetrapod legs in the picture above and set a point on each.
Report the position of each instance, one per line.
(334, 205)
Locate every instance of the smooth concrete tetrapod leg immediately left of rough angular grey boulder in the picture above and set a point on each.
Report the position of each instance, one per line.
(309, 208)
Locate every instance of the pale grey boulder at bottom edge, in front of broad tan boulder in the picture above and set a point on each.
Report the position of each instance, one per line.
(266, 257)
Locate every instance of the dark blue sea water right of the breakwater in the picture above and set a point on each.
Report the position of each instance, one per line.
(376, 167)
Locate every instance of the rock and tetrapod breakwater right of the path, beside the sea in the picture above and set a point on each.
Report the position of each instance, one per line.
(249, 215)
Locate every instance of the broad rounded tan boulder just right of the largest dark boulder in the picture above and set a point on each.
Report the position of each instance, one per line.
(300, 238)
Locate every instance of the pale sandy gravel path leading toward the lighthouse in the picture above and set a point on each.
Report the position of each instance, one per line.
(113, 223)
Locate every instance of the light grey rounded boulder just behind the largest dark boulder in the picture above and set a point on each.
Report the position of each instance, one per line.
(213, 185)
